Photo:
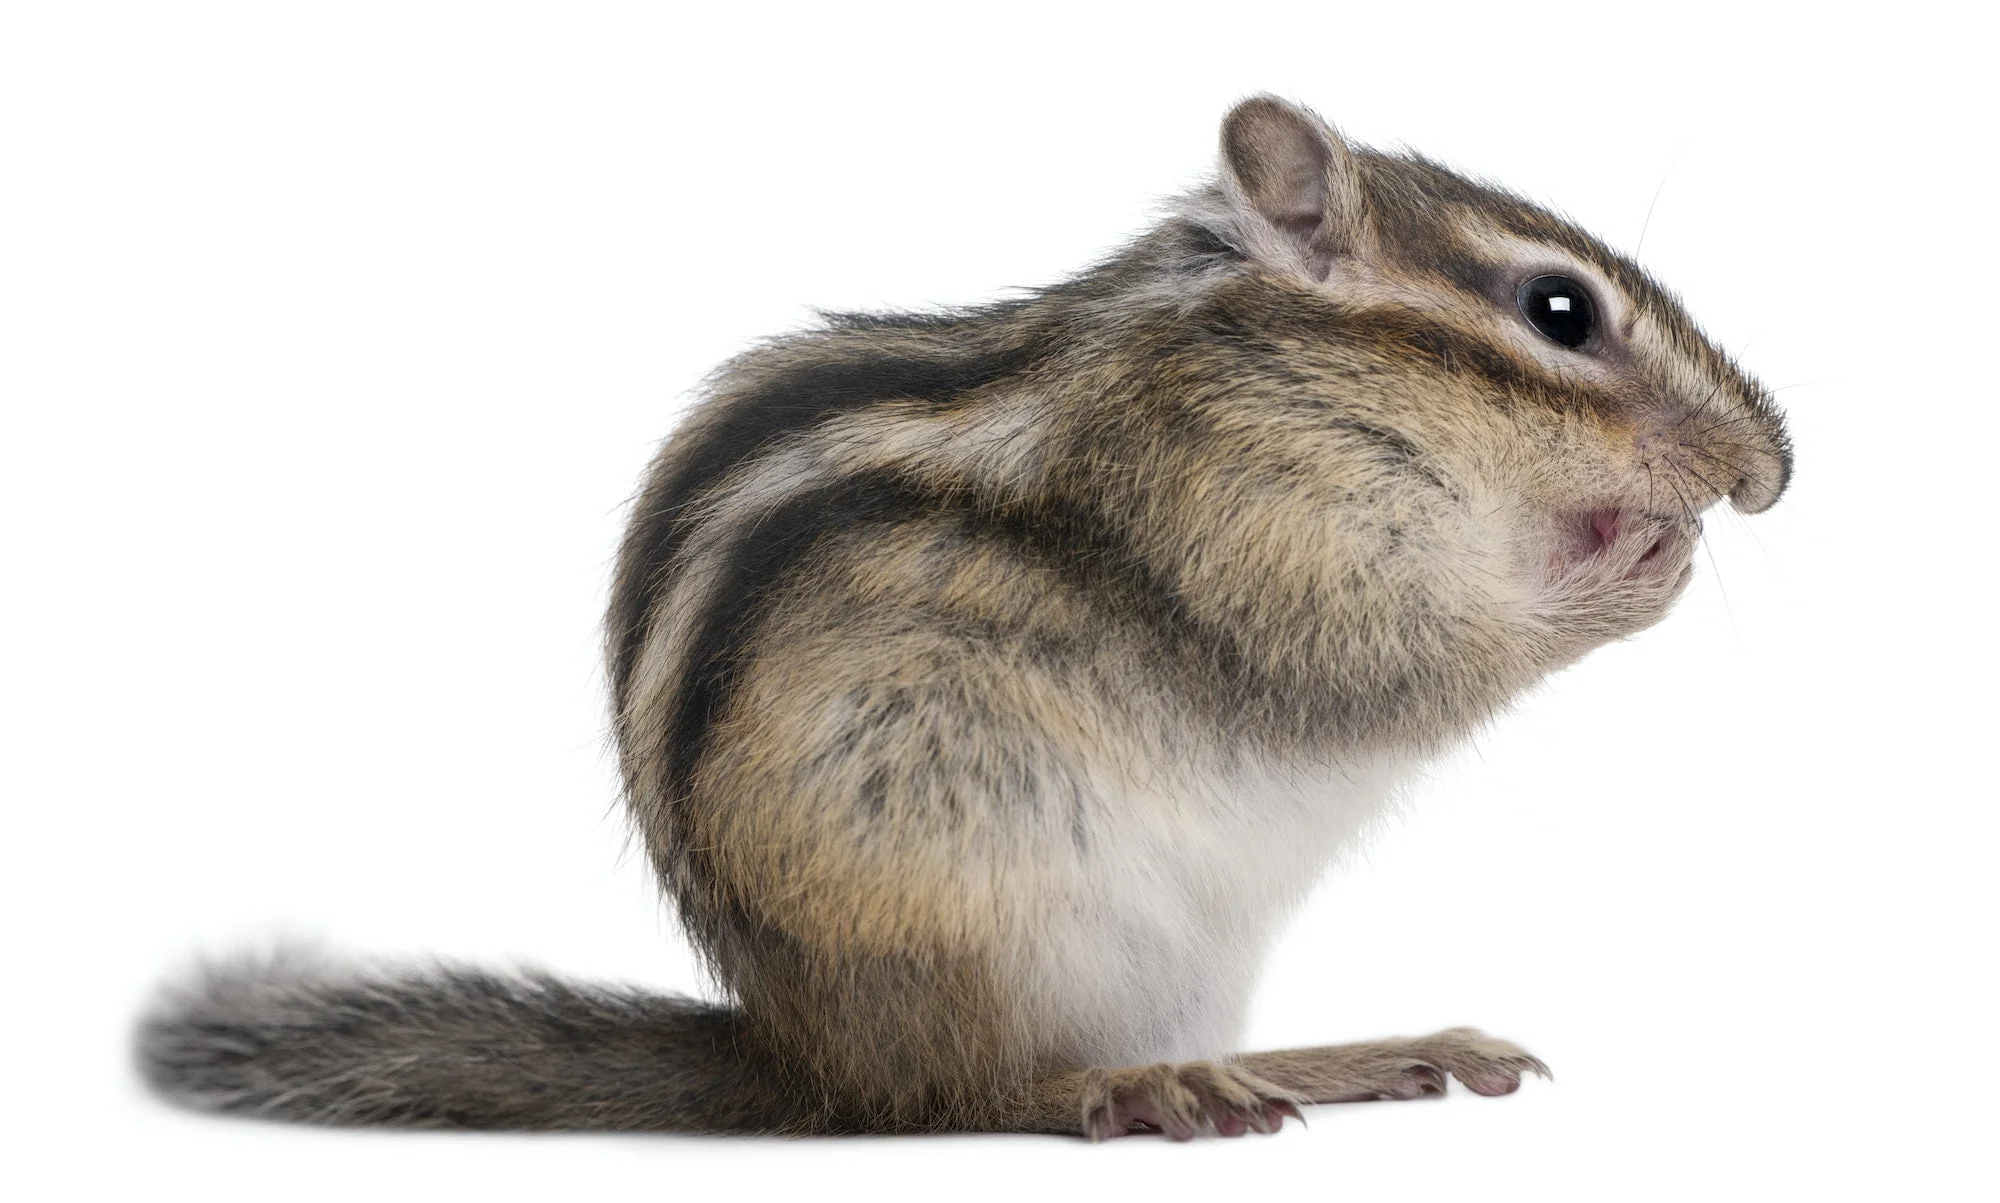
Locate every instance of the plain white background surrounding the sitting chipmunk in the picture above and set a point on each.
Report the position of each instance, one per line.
(333, 343)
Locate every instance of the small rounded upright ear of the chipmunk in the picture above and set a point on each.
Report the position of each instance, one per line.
(1297, 185)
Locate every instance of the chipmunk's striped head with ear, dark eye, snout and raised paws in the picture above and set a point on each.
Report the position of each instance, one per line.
(1537, 371)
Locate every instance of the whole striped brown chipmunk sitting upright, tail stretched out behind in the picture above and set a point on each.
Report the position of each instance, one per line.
(991, 684)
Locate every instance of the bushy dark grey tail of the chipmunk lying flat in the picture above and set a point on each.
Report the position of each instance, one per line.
(295, 1038)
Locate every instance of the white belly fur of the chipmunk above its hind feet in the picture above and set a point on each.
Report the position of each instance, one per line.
(1151, 948)
